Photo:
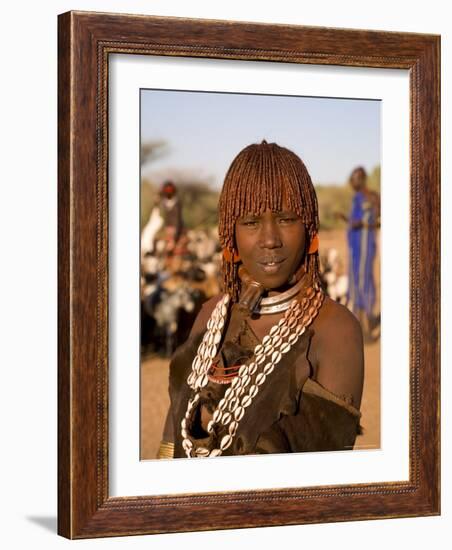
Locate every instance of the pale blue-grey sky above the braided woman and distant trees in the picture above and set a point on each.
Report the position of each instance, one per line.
(205, 130)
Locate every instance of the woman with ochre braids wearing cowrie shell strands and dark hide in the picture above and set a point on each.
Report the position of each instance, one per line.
(272, 365)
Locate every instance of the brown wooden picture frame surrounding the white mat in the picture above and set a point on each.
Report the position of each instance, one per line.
(85, 42)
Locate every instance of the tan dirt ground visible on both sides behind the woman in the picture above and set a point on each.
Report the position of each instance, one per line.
(154, 380)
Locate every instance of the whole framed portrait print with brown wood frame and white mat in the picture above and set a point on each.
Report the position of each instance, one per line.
(154, 115)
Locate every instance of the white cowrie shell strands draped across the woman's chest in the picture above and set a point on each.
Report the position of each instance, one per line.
(250, 377)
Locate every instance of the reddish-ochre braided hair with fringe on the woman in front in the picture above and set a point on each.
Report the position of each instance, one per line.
(260, 178)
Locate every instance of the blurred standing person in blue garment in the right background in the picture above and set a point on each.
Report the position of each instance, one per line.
(363, 221)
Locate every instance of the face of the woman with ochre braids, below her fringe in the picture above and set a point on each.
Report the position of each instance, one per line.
(271, 246)
